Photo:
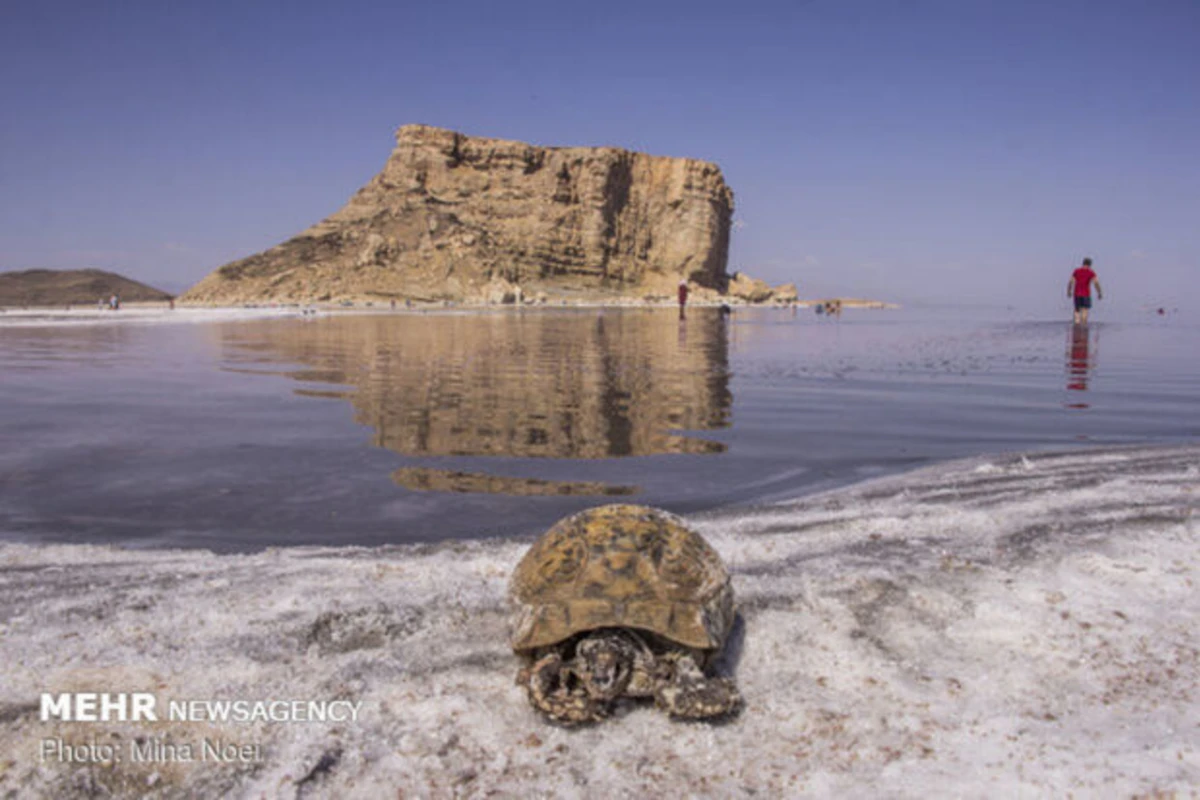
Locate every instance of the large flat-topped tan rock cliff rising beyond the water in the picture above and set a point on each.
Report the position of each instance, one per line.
(458, 218)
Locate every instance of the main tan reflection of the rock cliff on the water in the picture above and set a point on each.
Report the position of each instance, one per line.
(543, 386)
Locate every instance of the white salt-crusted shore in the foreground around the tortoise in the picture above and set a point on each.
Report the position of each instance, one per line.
(1016, 627)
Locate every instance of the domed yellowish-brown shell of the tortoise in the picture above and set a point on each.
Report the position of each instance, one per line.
(621, 567)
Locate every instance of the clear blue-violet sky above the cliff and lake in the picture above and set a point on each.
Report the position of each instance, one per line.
(968, 151)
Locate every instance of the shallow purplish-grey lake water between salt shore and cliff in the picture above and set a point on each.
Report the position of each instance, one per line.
(244, 434)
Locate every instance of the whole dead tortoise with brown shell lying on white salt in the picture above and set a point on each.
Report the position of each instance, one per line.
(622, 601)
